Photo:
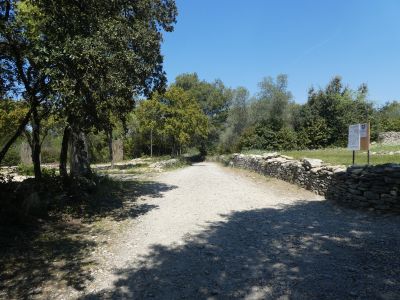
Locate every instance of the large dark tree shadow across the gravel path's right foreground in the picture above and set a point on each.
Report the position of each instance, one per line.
(309, 250)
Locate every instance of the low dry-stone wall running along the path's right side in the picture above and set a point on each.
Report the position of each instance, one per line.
(373, 187)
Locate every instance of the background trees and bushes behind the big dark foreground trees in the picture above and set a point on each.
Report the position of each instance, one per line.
(195, 116)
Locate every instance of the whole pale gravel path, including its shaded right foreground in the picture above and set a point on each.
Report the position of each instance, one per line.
(217, 233)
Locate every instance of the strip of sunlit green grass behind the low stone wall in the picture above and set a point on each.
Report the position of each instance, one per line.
(342, 156)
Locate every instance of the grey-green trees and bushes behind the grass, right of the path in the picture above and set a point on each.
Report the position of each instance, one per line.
(275, 123)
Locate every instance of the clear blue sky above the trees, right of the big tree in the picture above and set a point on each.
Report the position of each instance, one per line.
(240, 42)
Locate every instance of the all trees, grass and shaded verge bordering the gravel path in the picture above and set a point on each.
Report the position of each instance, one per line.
(78, 76)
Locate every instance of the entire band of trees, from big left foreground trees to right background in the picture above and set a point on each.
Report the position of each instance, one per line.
(76, 77)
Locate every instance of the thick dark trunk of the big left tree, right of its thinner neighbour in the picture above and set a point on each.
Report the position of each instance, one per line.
(80, 166)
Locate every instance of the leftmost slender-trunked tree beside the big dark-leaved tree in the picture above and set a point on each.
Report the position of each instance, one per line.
(23, 64)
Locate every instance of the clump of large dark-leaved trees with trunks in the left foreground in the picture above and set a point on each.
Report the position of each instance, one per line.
(88, 57)
